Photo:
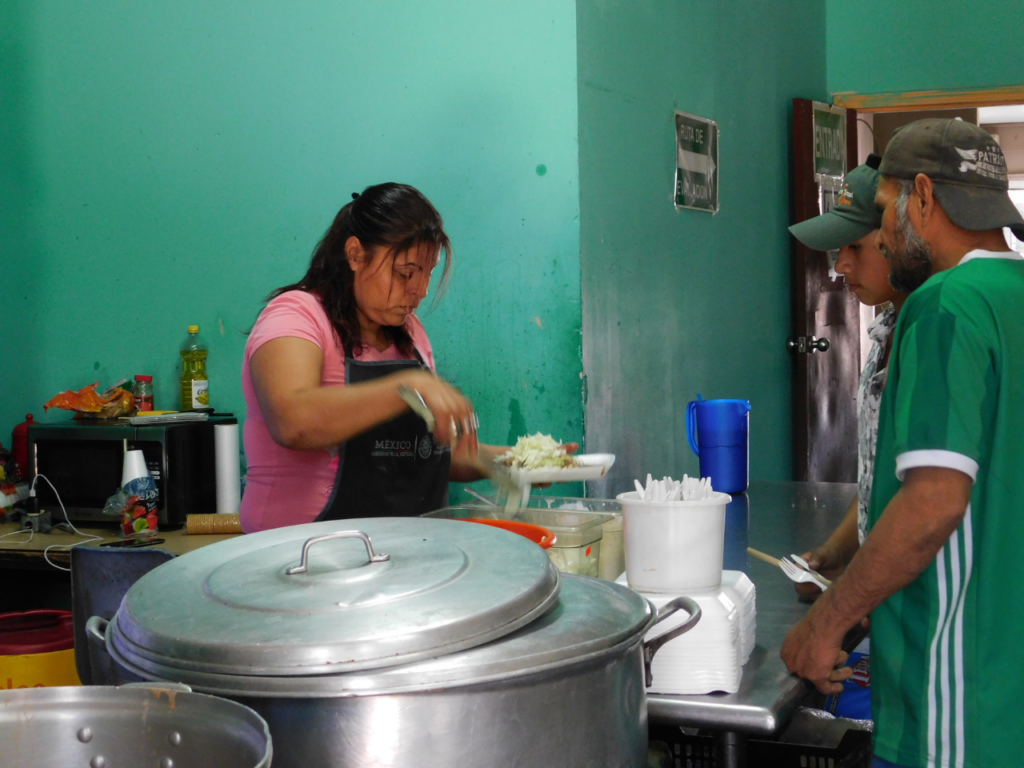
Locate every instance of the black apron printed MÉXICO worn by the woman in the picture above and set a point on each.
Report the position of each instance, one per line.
(397, 470)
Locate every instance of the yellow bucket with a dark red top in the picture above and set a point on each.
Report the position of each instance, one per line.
(37, 650)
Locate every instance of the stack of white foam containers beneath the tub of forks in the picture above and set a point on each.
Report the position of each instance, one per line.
(709, 658)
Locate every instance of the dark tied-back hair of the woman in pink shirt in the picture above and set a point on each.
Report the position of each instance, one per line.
(390, 216)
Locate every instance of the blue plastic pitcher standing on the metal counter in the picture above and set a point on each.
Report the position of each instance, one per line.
(719, 434)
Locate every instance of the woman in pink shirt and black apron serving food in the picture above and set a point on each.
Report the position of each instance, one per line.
(327, 435)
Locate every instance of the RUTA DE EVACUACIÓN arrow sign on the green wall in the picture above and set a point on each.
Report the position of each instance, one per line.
(697, 163)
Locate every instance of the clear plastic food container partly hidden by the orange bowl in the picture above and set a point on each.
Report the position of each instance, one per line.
(578, 532)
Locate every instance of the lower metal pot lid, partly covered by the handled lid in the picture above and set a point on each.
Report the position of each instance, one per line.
(591, 619)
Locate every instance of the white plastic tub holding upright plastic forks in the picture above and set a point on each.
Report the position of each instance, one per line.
(672, 547)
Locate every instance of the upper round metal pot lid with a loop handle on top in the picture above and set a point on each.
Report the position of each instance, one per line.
(337, 596)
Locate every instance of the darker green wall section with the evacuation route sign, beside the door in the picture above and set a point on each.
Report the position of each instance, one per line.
(677, 304)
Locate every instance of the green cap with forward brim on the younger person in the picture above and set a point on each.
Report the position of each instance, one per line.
(854, 216)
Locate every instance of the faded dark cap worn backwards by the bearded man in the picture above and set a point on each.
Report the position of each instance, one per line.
(967, 168)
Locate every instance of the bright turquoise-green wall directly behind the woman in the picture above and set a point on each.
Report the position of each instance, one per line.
(169, 164)
